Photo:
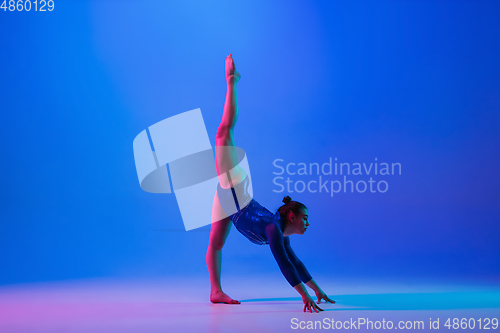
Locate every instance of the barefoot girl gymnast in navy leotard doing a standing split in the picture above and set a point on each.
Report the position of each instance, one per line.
(254, 221)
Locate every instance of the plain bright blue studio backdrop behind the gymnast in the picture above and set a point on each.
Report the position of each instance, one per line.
(409, 82)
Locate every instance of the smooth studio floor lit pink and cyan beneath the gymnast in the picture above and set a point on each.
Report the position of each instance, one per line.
(181, 305)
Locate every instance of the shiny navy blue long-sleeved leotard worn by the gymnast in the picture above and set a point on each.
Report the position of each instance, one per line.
(261, 227)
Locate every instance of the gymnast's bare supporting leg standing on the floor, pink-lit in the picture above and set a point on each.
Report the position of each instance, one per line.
(218, 235)
